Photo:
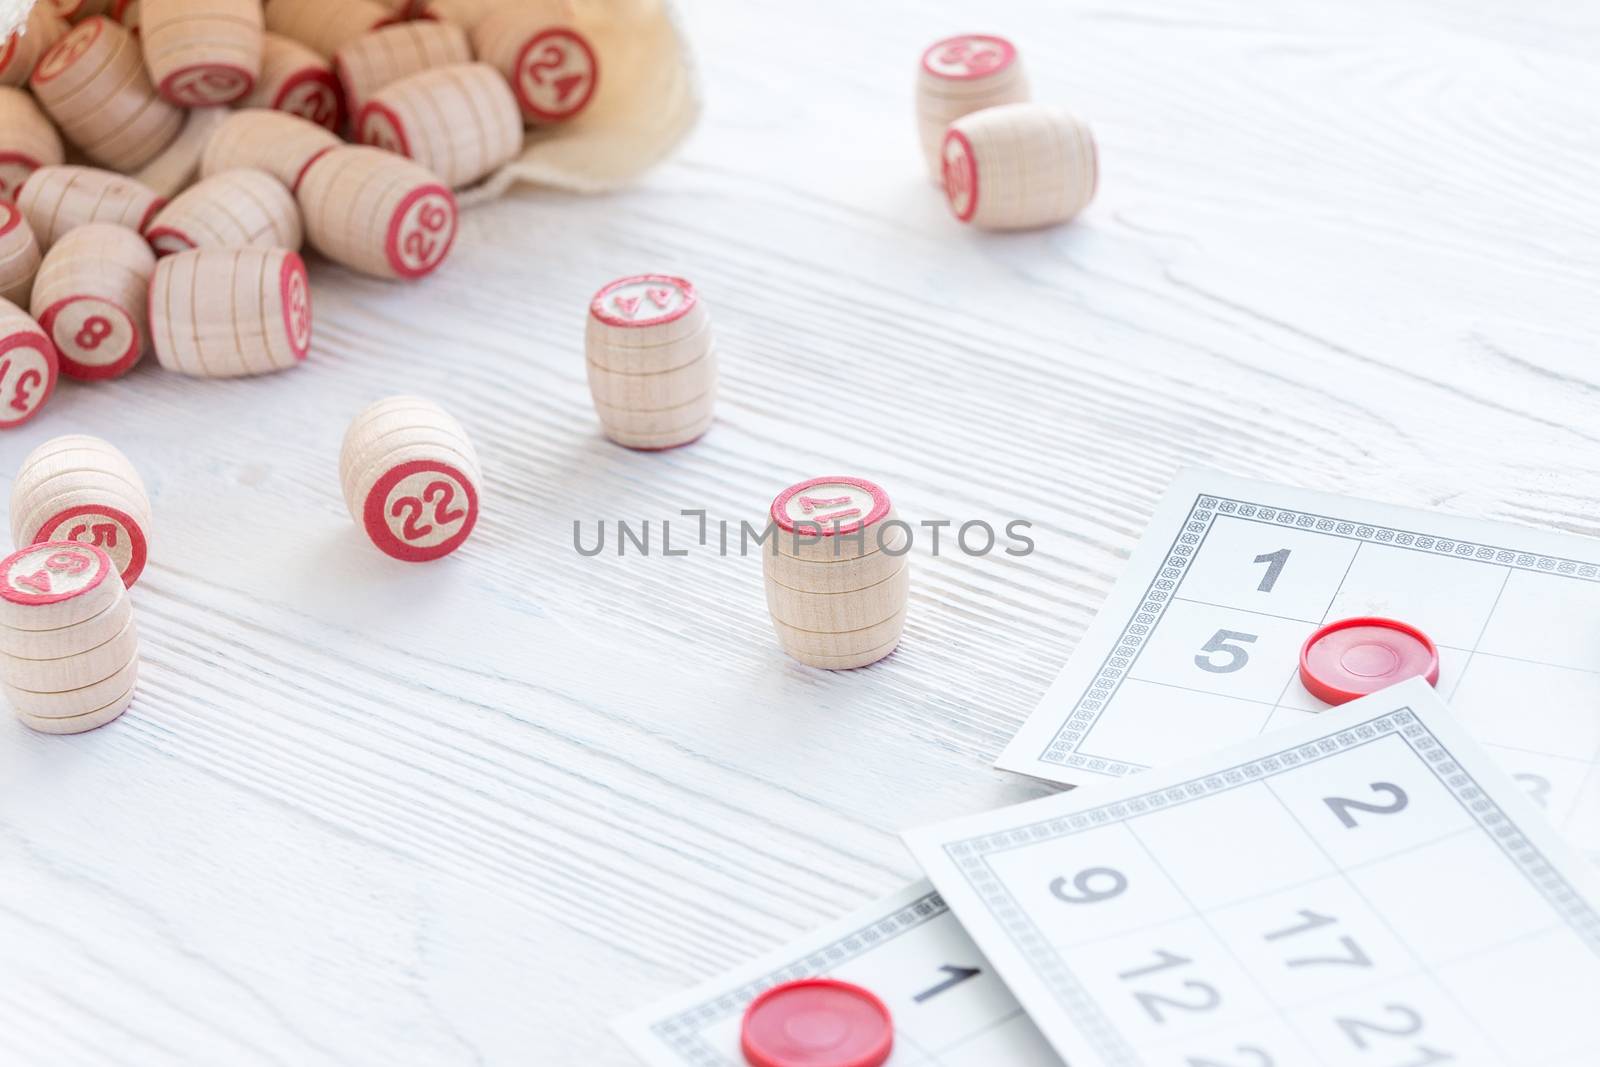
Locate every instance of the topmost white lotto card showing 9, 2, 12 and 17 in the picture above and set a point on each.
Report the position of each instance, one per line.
(1361, 890)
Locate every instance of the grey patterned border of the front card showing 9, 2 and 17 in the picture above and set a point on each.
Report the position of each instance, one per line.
(972, 857)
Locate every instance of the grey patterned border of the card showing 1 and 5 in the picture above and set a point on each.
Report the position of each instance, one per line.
(1065, 748)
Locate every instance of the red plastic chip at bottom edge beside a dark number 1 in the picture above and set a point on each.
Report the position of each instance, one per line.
(817, 1023)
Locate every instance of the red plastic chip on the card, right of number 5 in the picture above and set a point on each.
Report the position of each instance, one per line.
(1353, 658)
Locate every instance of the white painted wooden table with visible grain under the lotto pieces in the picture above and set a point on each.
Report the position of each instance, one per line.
(466, 813)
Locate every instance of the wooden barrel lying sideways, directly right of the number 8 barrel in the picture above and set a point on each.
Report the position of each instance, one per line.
(231, 313)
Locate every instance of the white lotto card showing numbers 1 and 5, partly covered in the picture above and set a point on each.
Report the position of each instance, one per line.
(1199, 644)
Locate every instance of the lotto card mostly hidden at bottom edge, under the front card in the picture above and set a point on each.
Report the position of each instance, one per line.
(946, 1005)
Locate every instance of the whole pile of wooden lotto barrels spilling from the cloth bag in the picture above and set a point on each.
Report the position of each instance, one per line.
(162, 164)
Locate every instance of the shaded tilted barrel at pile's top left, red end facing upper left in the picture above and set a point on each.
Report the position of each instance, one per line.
(94, 86)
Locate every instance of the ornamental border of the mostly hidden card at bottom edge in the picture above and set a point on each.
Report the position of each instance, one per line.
(684, 1033)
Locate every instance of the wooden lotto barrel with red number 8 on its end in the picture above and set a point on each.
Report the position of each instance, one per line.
(90, 298)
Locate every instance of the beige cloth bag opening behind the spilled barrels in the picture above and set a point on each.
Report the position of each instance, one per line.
(646, 103)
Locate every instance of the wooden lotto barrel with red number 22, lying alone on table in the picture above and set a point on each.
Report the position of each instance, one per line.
(412, 479)
